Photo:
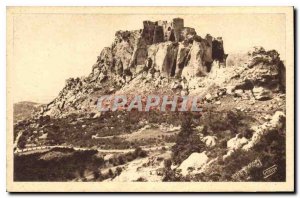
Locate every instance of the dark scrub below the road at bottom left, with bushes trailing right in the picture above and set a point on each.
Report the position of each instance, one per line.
(74, 165)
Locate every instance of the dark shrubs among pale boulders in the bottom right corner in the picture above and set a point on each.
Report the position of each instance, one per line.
(270, 151)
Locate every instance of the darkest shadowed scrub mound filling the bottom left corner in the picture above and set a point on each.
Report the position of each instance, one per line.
(33, 168)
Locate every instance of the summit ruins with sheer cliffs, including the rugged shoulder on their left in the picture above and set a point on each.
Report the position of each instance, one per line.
(170, 47)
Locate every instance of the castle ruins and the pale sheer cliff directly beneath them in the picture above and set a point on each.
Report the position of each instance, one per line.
(179, 48)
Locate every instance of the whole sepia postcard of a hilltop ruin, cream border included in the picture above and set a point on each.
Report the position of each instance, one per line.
(150, 99)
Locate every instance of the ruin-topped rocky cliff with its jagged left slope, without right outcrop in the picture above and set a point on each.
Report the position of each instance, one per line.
(161, 49)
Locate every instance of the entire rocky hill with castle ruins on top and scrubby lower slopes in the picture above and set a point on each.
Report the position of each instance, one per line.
(239, 133)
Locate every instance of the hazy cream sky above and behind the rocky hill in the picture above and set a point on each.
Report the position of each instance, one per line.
(49, 48)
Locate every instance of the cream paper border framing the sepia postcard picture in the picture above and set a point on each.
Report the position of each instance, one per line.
(112, 14)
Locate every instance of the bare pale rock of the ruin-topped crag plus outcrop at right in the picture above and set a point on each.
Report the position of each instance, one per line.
(168, 50)
